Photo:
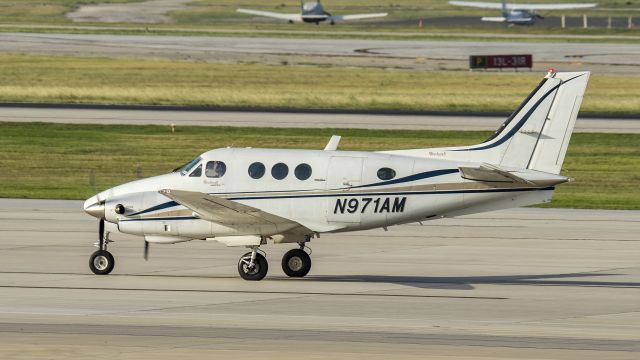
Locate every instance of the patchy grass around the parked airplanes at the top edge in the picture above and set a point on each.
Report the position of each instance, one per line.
(207, 15)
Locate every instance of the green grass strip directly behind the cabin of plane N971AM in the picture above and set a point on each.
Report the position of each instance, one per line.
(59, 161)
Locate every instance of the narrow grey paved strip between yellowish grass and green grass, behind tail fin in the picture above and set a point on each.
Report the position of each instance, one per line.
(293, 120)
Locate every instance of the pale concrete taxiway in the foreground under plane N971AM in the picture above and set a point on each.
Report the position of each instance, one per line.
(525, 283)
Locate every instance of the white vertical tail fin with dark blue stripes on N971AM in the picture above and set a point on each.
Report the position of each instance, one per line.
(535, 136)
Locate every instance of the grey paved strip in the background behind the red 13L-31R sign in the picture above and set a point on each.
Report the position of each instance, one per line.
(599, 57)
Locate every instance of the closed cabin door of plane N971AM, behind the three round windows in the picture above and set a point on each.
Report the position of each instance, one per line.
(344, 172)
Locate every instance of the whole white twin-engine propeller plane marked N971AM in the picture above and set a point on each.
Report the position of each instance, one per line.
(248, 197)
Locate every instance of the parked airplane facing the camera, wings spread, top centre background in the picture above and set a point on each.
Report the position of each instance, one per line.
(311, 12)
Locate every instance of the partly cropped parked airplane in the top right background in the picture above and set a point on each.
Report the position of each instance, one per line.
(519, 14)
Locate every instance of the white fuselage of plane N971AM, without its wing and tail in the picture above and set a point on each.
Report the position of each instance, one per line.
(343, 192)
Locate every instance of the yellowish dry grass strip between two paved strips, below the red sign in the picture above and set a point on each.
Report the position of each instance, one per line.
(26, 78)
